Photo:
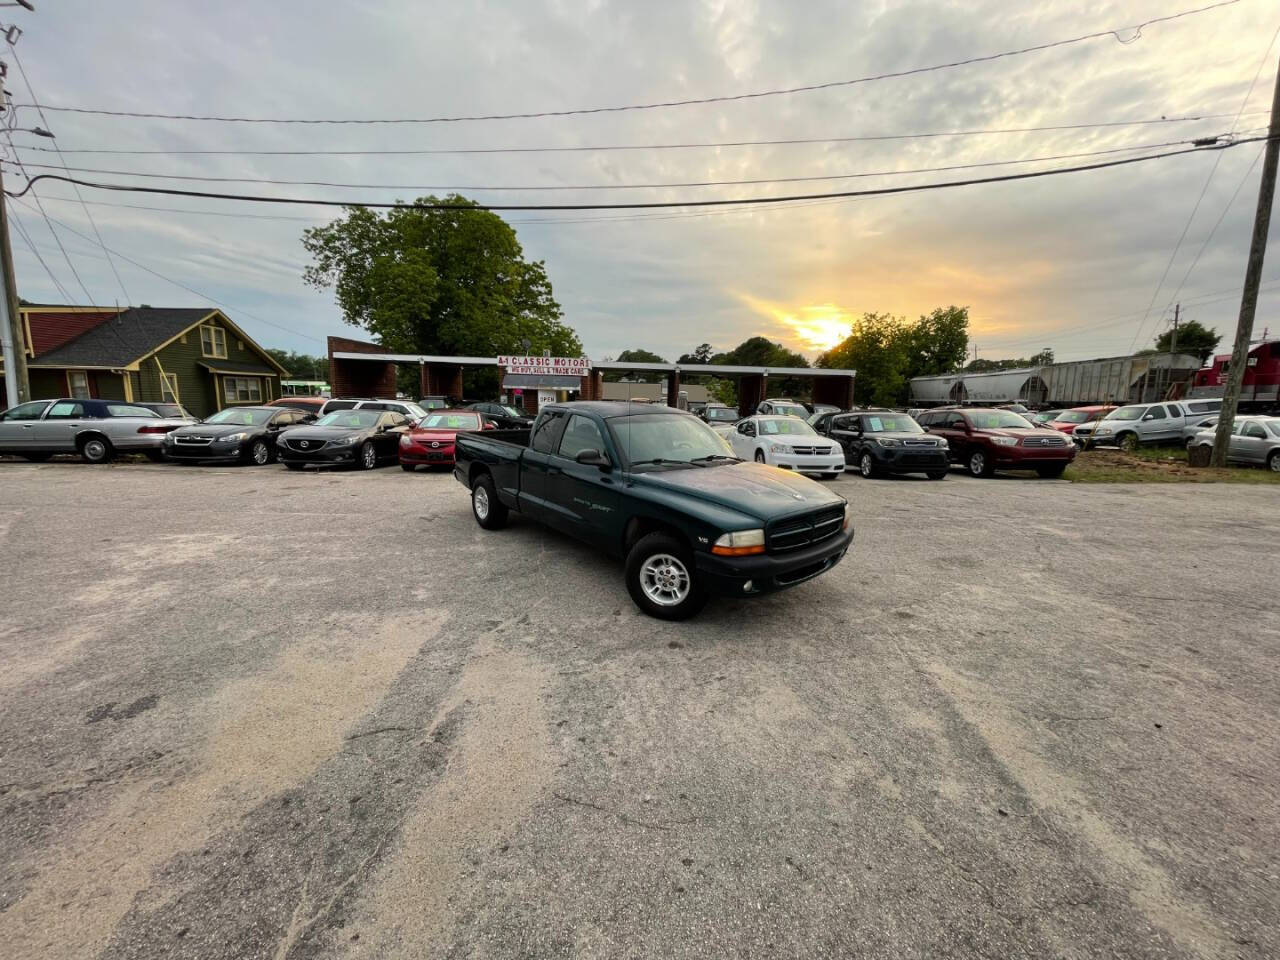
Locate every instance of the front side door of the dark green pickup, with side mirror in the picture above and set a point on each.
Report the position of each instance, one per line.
(582, 499)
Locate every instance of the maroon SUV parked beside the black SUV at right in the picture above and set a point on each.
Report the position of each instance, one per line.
(986, 441)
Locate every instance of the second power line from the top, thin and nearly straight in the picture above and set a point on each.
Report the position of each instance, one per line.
(604, 148)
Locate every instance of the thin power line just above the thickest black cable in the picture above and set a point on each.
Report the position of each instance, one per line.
(612, 186)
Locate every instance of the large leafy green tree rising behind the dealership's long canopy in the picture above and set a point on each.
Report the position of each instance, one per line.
(438, 281)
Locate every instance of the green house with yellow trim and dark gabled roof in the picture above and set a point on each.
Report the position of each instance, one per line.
(194, 356)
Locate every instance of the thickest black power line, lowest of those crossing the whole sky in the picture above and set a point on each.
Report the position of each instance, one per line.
(644, 205)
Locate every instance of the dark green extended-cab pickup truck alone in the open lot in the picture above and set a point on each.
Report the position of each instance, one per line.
(660, 488)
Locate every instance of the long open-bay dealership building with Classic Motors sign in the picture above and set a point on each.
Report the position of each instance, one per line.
(362, 369)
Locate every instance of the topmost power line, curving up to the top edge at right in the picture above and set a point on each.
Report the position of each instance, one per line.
(811, 88)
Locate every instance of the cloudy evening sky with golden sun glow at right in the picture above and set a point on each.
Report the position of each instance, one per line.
(1071, 263)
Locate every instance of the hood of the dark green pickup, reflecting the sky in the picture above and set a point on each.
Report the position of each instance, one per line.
(749, 488)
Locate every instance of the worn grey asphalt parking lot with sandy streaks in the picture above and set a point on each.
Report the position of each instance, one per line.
(249, 714)
